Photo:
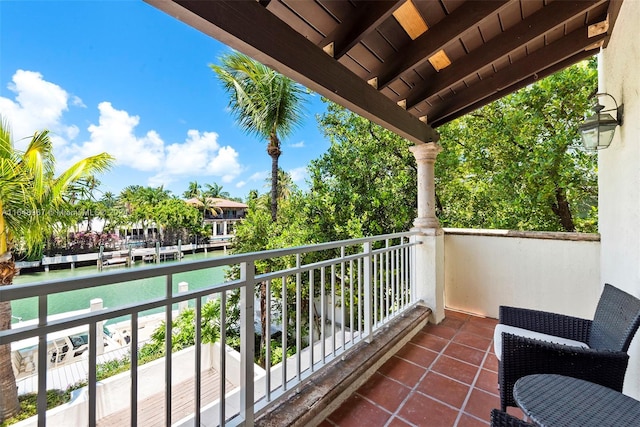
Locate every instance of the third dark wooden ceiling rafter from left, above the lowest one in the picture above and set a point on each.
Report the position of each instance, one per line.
(547, 18)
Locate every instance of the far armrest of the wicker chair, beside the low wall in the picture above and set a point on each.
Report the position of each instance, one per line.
(559, 325)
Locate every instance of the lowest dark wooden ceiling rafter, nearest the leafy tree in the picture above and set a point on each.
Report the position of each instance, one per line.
(532, 66)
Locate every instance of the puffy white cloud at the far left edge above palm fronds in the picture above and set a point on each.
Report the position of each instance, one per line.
(38, 105)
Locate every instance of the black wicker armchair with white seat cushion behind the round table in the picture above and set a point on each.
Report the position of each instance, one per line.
(603, 360)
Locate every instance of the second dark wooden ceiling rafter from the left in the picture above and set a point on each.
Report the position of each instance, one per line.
(425, 46)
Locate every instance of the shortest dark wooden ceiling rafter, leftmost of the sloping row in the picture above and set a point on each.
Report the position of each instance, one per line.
(366, 17)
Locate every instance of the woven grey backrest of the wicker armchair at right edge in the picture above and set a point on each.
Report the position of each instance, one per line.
(616, 320)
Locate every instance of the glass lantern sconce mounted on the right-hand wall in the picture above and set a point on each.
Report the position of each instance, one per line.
(597, 131)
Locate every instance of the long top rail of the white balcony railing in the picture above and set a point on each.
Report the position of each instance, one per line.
(14, 292)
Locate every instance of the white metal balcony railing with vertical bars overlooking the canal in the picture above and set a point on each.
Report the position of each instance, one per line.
(336, 295)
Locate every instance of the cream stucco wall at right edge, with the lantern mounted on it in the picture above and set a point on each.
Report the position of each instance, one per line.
(619, 170)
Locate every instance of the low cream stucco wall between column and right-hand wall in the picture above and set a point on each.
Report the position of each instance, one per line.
(486, 269)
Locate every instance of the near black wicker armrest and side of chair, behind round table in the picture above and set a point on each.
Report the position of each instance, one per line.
(525, 356)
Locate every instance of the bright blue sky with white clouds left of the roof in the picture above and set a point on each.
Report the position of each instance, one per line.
(126, 78)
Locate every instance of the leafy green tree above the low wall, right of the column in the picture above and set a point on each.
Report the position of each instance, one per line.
(516, 163)
